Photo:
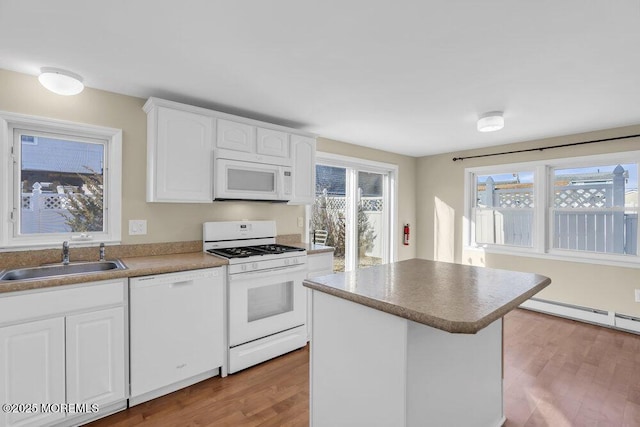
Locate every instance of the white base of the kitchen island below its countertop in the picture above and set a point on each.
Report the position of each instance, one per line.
(371, 368)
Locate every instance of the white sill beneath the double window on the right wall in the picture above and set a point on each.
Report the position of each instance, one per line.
(566, 256)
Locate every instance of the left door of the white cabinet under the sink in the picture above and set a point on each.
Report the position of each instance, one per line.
(32, 370)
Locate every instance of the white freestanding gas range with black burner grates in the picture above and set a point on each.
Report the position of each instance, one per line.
(266, 299)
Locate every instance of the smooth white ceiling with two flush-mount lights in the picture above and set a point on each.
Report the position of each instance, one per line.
(410, 77)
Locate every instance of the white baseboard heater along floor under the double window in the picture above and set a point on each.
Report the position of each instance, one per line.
(609, 319)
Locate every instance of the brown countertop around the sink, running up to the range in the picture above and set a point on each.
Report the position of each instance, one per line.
(136, 266)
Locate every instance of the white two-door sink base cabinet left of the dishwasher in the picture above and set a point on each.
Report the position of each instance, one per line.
(61, 352)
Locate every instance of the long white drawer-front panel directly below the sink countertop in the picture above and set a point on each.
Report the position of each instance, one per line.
(60, 301)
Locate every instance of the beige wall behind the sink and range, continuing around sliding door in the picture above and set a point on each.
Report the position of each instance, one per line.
(21, 93)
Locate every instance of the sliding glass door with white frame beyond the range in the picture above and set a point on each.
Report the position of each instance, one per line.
(353, 210)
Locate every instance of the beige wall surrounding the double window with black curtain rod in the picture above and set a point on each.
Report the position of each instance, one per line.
(440, 196)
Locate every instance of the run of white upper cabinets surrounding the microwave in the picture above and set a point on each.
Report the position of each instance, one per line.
(183, 142)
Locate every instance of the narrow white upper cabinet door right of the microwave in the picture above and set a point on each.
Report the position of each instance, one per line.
(304, 169)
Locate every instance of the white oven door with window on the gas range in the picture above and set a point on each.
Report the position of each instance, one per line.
(265, 302)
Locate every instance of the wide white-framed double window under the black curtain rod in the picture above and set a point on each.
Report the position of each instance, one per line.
(581, 208)
